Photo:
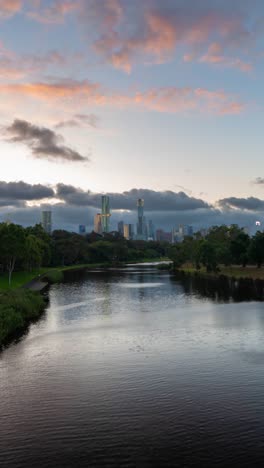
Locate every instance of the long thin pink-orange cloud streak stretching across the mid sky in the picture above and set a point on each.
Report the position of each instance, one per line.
(166, 99)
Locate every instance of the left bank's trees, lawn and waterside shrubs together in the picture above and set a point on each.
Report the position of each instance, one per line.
(26, 253)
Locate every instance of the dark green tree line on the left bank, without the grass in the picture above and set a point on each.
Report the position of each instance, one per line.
(31, 248)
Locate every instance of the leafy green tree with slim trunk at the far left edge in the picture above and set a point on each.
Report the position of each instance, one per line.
(12, 242)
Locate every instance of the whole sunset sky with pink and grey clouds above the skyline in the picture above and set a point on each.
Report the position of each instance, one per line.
(158, 99)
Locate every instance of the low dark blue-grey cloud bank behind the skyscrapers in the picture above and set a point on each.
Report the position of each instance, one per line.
(72, 206)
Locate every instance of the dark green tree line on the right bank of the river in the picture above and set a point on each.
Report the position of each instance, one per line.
(223, 245)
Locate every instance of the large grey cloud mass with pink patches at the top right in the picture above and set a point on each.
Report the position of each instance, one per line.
(153, 32)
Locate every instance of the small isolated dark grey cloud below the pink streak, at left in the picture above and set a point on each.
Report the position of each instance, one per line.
(43, 142)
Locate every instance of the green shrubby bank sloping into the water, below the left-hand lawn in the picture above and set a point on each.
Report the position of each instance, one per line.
(17, 309)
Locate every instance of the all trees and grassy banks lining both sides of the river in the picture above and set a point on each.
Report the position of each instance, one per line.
(28, 252)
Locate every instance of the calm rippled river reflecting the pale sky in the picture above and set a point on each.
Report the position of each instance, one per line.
(131, 369)
